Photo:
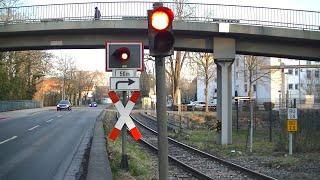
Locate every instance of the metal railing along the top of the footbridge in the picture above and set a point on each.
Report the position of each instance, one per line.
(194, 12)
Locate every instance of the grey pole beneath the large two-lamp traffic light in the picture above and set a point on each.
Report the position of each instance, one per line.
(161, 118)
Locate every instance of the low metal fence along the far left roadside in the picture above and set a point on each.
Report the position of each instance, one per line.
(19, 104)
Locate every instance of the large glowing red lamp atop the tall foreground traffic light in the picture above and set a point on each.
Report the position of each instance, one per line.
(161, 18)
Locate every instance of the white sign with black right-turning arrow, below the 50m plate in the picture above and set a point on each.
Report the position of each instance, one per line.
(124, 83)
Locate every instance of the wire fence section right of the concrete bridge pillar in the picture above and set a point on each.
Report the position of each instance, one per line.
(270, 118)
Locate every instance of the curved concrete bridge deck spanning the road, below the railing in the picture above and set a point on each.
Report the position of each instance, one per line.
(263, 41)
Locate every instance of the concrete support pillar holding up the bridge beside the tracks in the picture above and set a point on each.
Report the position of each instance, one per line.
(224, 54)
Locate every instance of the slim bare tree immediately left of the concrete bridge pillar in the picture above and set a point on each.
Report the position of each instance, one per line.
(205, 68)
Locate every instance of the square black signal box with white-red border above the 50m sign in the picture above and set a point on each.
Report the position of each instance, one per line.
(127, 55)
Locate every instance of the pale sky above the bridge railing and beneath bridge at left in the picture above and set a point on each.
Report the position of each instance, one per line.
(95, 59)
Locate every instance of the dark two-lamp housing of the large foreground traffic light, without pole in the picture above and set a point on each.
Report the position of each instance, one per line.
(160, 34)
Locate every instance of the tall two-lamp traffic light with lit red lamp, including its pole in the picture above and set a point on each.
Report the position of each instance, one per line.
(161, 42)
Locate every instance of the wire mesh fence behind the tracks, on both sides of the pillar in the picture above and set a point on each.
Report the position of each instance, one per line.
(269, 125)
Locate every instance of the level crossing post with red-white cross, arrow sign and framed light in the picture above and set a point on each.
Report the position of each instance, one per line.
(124, 59)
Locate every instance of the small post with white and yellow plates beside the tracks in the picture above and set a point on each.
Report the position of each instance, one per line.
(292, 125)
